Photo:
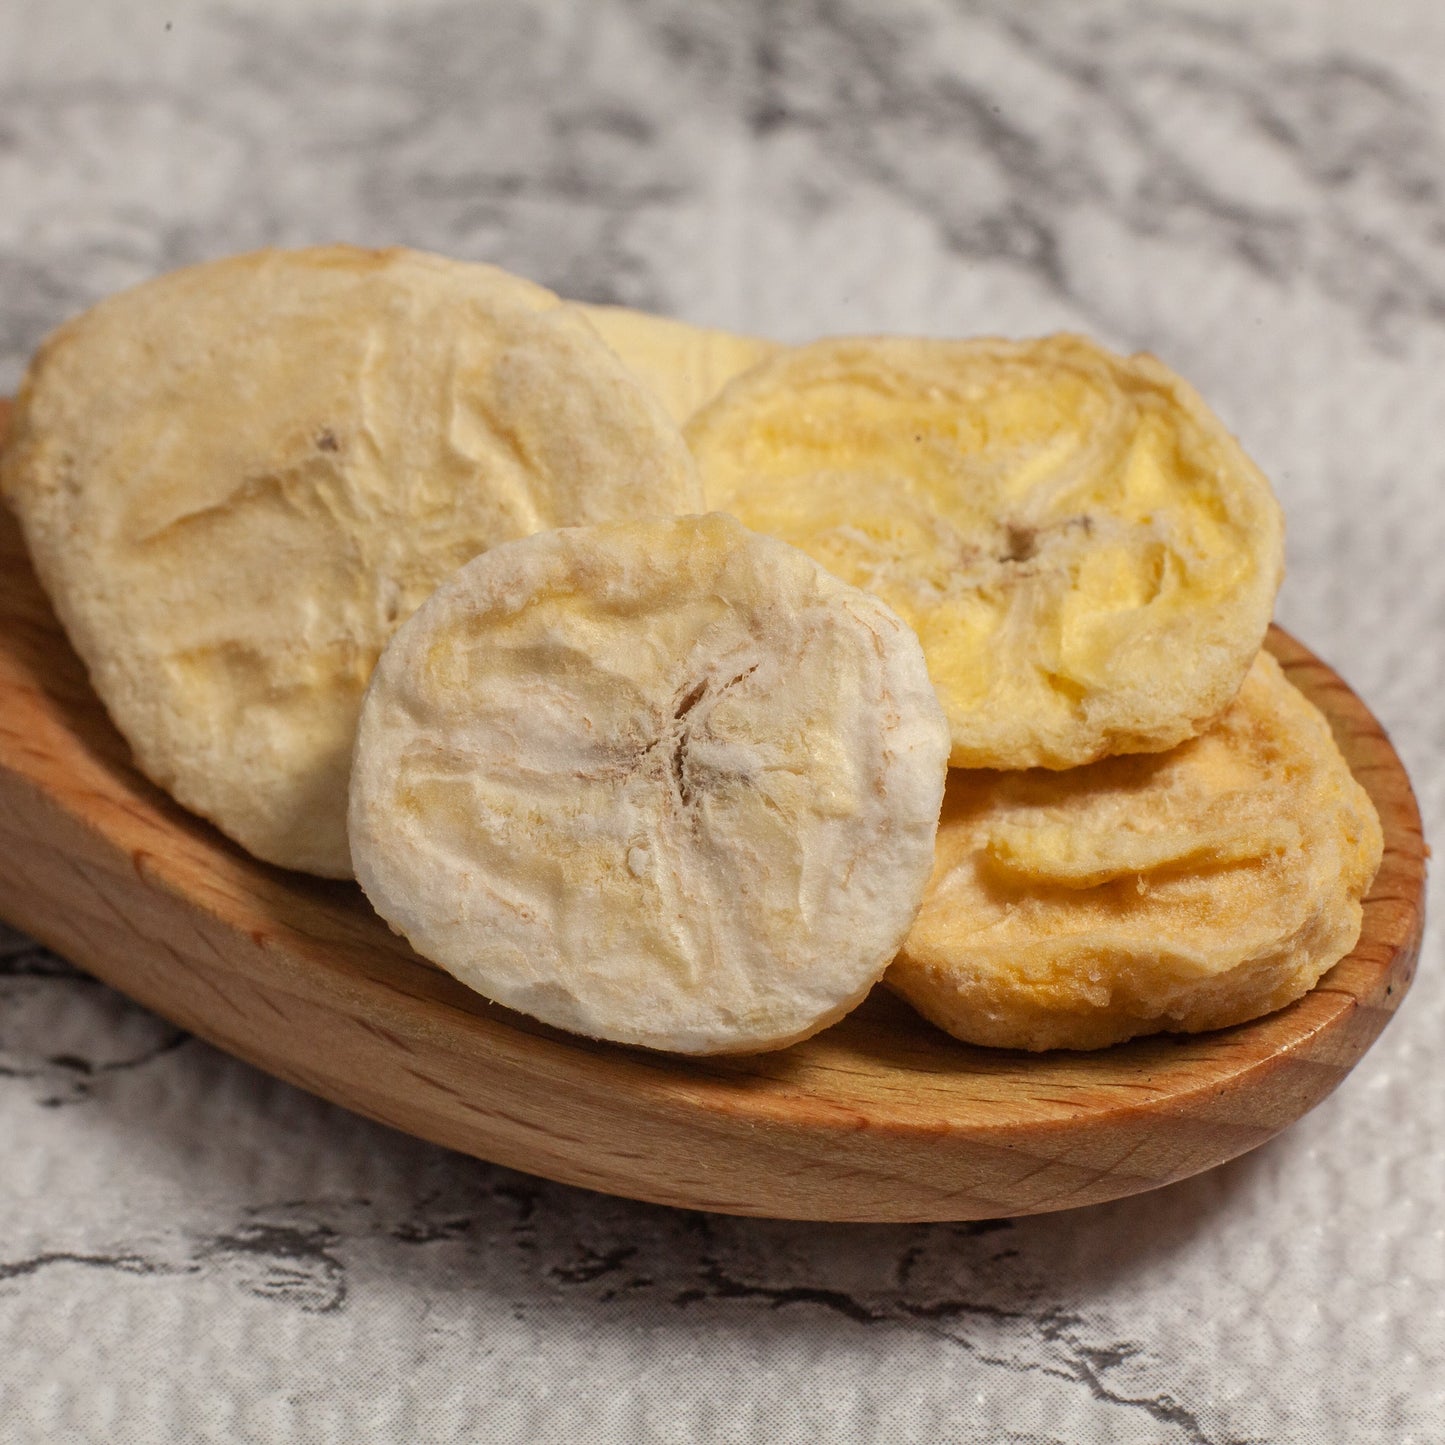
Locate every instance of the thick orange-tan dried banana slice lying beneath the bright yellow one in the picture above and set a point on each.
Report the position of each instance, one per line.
(1171, 892)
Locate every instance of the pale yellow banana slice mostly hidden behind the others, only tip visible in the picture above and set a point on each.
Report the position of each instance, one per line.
(686, 366)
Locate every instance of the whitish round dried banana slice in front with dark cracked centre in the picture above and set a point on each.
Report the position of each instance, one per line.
(664, 782)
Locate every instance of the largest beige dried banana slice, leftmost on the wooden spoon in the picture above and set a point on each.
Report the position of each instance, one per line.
(238, 480)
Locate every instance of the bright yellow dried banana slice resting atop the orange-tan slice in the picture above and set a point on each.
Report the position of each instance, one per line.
(1087, 556)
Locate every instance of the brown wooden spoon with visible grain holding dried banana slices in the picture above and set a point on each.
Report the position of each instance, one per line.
(881, 1118)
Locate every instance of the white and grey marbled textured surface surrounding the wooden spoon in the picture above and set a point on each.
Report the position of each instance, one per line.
(1256, 191)
